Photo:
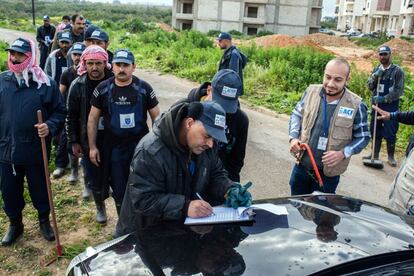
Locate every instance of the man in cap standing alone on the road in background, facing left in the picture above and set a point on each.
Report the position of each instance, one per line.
(232, 58)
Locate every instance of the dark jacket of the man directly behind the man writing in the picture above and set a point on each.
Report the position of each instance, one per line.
(233, 153)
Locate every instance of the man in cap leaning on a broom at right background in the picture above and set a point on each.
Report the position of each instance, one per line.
(388, 79)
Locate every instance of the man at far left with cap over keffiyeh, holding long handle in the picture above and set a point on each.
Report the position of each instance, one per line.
(24, 89)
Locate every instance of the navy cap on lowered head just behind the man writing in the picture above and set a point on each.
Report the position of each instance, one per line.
(227, 87)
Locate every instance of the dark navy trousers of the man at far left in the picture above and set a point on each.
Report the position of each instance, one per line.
(11, 185)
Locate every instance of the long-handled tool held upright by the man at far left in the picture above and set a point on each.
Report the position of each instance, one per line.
(49, 193)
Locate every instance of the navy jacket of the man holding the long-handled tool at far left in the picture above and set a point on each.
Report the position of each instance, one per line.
(19, 140)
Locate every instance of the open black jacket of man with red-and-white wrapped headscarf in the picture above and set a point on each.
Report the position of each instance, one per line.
(78, 105)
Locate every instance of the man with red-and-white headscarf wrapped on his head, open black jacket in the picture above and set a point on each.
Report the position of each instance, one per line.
(93, 69)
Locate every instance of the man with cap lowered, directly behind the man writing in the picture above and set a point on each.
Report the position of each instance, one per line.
(225, 90)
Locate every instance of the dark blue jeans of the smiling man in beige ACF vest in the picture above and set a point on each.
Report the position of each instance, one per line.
(303, 181)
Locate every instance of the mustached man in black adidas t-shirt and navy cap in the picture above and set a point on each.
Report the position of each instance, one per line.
(124, 102)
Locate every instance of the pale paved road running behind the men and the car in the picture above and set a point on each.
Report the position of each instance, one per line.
(268, 163)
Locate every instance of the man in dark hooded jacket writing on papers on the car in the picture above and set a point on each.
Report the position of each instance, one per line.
(172, 164)
